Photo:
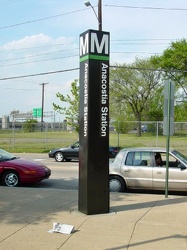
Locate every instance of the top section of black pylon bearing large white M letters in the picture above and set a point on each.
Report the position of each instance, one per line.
(94, 43)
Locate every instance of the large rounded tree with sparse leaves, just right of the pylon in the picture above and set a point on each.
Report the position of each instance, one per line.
(133, 88)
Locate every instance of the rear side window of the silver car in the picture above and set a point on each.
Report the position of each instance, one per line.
(138, 159)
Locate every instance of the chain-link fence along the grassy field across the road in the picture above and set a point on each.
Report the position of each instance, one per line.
(41, 137)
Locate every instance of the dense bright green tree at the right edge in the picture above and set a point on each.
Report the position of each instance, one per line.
(174, 62)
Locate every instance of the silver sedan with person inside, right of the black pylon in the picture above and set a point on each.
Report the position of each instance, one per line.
(145, 168)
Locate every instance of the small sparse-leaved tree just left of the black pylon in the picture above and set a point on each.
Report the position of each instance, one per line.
(72, 111)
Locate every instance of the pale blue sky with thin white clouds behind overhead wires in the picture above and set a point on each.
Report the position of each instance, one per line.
(39, 36)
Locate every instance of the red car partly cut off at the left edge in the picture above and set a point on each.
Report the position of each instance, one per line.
(15, 171)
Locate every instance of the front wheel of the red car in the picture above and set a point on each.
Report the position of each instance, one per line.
(10, 179)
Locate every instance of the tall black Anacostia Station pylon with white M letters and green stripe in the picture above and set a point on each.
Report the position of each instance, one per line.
(94, 122)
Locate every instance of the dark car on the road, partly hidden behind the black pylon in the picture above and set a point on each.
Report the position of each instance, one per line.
(72, 153)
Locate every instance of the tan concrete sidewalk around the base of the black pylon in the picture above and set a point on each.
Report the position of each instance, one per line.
(137, 221)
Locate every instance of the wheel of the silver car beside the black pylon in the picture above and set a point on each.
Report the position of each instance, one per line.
(116, 184)
